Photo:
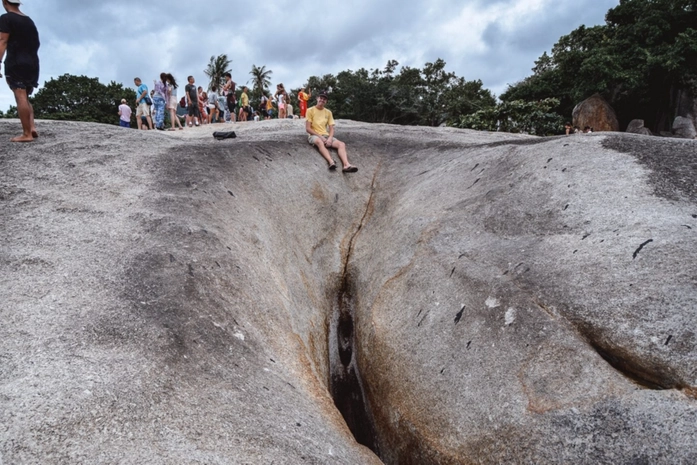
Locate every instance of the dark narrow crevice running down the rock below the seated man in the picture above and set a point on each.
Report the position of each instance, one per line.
(345, 383)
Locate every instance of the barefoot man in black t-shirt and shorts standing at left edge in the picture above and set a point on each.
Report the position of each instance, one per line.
(20, 38)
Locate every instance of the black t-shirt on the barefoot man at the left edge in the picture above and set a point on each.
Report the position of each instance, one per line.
(22, 59)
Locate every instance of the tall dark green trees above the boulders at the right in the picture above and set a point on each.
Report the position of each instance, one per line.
(639, 61)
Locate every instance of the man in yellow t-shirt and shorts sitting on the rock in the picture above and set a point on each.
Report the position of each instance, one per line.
(320, 129)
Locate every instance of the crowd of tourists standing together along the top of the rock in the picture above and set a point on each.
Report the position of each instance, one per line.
(219, 104)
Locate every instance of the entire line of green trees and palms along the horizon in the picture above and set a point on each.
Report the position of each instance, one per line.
(643, 61)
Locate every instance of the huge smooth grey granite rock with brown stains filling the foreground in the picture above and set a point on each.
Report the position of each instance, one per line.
(466, 297)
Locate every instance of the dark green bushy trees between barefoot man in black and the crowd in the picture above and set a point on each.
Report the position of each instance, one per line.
(80, 98)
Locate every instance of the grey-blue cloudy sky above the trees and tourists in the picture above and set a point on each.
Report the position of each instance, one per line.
(496, 41)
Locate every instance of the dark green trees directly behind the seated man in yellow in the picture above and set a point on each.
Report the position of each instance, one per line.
(430, 96)
